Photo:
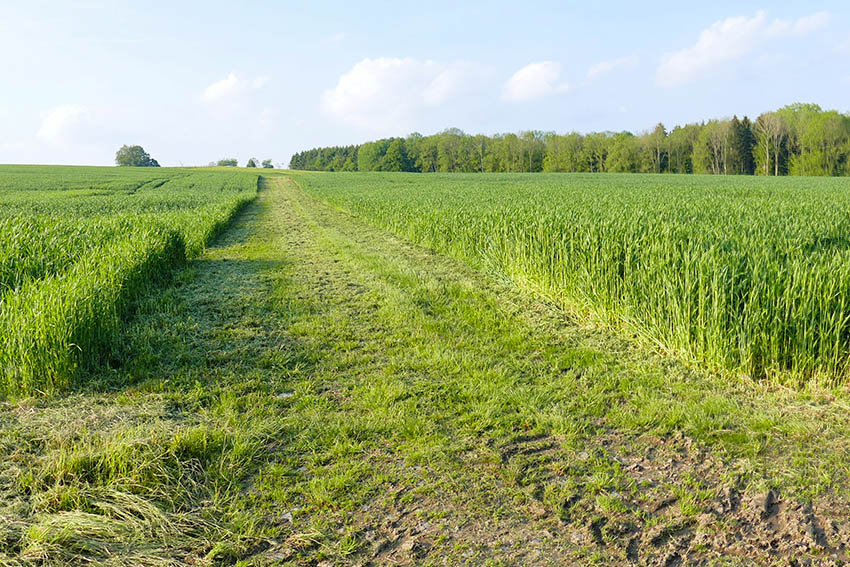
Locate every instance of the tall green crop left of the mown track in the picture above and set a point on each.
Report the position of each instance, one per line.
(74, 260)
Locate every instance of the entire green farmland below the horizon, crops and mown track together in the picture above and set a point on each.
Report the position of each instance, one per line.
(215, 367)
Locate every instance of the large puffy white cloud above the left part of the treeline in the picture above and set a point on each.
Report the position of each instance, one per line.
(389, 93)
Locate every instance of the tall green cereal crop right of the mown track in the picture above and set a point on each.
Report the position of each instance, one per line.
(743, 274)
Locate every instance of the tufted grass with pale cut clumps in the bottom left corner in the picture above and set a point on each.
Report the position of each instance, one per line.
(133, 490)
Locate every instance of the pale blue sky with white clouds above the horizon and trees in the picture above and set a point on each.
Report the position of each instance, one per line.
(193, 82)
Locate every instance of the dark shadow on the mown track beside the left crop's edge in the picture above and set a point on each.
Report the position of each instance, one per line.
(218, 320)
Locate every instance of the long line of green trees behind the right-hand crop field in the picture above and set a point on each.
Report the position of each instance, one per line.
(799, 139)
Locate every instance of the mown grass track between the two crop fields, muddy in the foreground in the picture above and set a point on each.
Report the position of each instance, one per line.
(362, 401)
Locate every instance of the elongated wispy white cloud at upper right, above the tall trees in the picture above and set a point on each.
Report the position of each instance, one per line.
(728, 40)
